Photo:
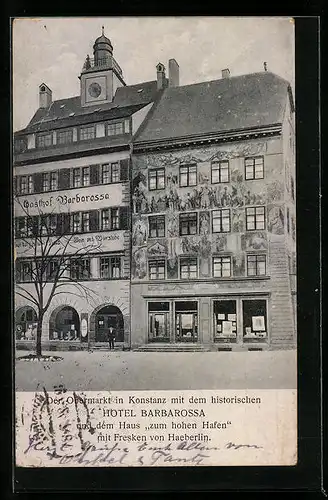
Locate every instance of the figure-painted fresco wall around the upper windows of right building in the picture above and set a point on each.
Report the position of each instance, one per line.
(202, 198)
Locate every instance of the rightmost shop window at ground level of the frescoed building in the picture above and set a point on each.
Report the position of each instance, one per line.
(254, 320)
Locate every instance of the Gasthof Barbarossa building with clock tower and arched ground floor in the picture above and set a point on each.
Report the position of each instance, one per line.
(72, 187)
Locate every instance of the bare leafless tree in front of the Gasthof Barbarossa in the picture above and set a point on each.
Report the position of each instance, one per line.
(52, 260)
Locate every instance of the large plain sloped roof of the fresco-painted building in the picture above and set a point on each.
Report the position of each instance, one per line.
(235, 103)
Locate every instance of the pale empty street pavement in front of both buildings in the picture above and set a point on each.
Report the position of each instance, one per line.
(121, 370)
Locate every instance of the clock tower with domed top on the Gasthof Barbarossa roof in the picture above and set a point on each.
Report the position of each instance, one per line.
(101, 75)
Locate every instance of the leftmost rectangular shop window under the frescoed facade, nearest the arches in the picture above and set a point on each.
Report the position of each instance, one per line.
(158, 321)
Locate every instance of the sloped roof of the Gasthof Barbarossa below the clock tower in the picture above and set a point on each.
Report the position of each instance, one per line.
(69, 112)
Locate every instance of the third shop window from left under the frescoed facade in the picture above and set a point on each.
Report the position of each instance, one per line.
(225, 320)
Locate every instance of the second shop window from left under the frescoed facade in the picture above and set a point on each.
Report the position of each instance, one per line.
(186, 321)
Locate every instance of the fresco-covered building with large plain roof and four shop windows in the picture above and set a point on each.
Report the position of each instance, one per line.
(213, 224)
